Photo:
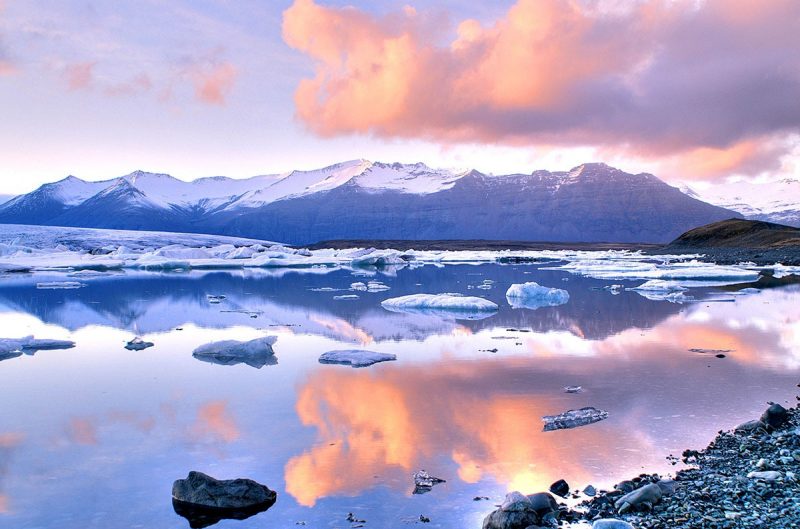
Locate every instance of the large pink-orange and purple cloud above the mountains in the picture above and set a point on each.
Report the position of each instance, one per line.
(716, 80)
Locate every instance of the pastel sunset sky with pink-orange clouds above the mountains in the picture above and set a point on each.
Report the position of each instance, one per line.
(706, 91)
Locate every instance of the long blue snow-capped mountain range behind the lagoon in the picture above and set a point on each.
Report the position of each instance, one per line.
(365, 200)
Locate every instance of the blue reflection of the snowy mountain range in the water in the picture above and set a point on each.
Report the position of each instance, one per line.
(147, 303)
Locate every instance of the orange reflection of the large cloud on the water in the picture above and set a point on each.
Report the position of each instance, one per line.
(391, 424)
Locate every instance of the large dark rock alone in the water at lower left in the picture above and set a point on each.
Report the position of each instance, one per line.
(204, 500)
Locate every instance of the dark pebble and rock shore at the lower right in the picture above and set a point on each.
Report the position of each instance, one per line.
(747, 477)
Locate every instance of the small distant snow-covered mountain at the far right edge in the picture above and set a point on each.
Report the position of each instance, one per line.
(770, 201)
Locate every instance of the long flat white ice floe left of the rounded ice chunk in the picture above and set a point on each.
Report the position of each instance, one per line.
(446, 305)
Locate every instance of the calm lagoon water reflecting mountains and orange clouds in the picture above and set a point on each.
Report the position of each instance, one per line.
(94, 436)
